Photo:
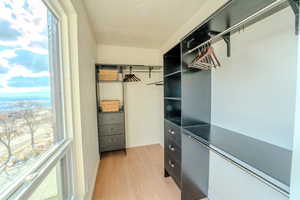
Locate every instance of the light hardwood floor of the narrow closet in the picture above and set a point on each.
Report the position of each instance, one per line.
(139, 175)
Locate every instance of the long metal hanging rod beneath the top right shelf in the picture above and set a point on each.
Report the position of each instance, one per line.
(238, 25)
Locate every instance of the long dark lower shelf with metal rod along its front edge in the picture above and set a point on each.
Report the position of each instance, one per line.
(269, 163)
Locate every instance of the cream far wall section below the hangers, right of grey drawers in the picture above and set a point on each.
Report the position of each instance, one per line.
(144, 111)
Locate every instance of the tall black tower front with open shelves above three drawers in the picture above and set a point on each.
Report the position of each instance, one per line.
(172, 110)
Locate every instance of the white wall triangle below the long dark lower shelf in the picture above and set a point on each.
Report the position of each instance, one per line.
(228, 182)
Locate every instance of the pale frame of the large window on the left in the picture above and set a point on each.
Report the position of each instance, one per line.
(62, 150)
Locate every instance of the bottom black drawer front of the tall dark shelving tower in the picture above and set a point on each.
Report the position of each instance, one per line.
(174, 169)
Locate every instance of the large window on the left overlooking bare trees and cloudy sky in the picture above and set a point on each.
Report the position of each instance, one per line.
(33, 143)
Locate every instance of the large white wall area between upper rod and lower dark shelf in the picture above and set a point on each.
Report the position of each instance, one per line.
(254, 90)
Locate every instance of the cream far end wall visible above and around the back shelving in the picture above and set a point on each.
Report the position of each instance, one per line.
(143, 103)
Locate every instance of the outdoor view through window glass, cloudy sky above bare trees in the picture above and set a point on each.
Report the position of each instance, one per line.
(27, 116)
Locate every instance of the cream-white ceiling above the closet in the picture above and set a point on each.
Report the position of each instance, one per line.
(139, 23)
